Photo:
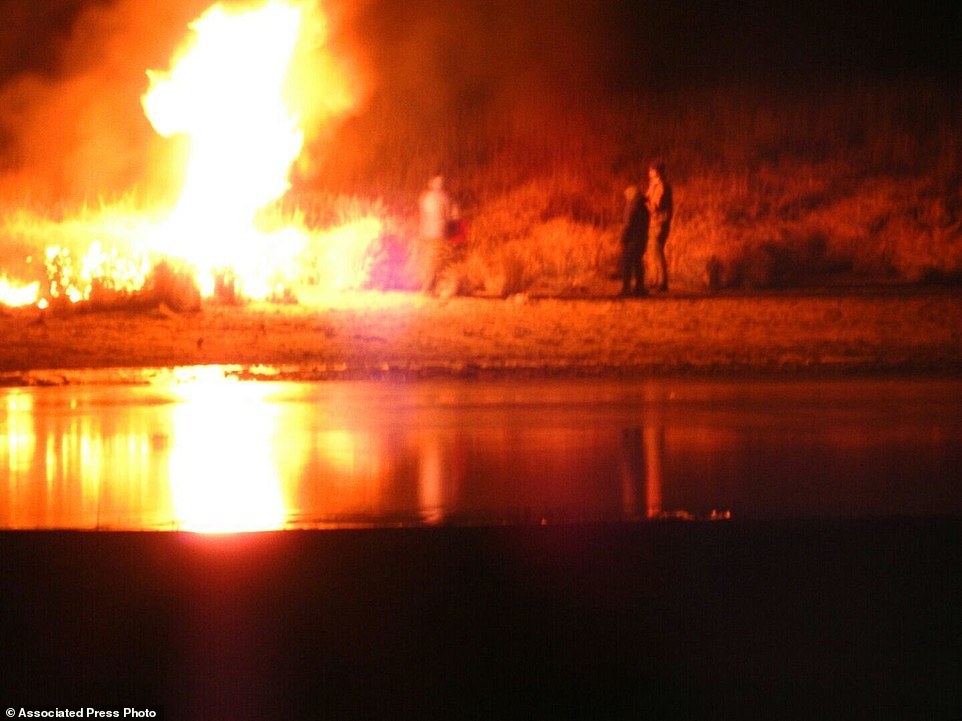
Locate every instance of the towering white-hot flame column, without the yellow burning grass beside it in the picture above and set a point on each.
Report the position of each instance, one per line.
(225, 93)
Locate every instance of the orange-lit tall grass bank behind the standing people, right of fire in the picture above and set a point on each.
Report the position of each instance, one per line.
(774, 186)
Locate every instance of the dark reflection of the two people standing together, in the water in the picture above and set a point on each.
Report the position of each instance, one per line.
(641, 468)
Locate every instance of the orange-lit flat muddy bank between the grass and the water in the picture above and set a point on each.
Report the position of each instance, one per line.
(852, 330)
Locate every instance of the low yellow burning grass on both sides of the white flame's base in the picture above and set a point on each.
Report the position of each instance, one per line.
(95, 257)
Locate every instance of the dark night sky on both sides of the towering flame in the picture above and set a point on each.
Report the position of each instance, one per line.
(613, 41)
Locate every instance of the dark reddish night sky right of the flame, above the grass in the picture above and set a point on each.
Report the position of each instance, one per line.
(636, 44)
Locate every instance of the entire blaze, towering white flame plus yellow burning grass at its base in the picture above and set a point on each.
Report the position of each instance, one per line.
(237, 95)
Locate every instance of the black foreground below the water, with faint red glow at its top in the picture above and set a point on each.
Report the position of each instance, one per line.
(802, 619)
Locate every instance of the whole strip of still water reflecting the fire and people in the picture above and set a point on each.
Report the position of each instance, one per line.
(199, 451)
